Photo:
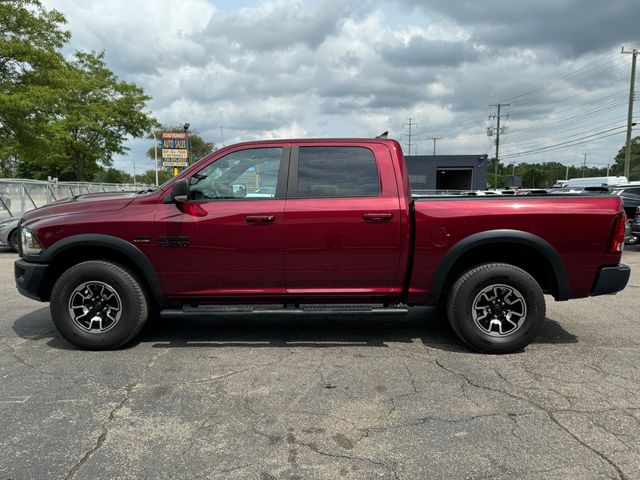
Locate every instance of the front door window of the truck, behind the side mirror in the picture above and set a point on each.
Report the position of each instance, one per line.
(245, 174)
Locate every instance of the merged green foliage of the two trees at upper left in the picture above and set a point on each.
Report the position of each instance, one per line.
(59, 117)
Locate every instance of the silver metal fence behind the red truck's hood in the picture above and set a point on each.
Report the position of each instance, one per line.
(18, 196)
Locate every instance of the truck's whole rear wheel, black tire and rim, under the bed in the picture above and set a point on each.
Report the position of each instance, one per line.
(496, 308)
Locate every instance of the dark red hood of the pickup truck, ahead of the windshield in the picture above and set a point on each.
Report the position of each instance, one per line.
(92, 202)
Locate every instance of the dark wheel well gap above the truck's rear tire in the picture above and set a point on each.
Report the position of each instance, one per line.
(525, 257)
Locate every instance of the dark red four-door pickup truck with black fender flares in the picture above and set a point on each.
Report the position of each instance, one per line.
(300, 223)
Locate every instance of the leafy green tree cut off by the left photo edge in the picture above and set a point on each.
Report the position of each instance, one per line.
(31, 79)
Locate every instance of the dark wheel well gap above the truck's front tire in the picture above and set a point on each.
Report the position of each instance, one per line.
(73, 256)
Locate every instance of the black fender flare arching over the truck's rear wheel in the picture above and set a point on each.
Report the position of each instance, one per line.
(502, 236)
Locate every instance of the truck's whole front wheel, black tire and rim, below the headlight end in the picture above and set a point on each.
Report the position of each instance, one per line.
(98, 305)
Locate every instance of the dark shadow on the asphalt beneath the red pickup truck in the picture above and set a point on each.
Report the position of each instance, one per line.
(424, 326)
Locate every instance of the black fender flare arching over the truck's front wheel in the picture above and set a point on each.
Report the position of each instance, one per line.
(114, 243)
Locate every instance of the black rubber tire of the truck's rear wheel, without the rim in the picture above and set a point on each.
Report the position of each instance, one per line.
(510, 276)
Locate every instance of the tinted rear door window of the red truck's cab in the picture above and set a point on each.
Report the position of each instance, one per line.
(332, 172)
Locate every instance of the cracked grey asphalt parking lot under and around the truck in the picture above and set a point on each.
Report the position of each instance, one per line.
(320, 397)
